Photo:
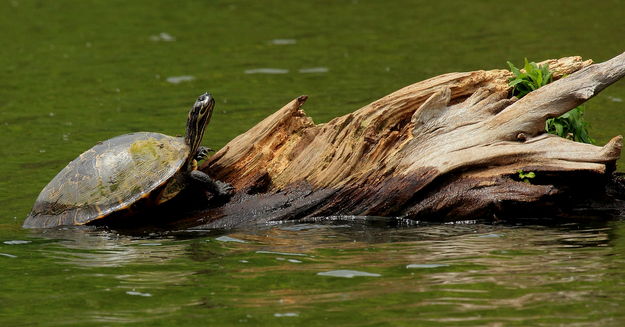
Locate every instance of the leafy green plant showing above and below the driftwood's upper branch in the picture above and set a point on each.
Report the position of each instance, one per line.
(571, 125)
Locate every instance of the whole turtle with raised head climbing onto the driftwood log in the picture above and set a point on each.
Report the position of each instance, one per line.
(117, 174)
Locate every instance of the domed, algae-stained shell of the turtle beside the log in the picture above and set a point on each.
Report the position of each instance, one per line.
(108, 178)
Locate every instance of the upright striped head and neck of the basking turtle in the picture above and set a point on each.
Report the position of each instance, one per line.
(199, 116)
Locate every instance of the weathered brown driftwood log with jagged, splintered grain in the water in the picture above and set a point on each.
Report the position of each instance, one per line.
(447, 148)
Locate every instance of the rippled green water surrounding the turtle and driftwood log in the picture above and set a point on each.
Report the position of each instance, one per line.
(73, 73)
